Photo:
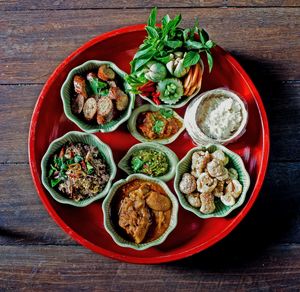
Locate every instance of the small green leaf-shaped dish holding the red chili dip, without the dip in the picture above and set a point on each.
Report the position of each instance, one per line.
(149, 107)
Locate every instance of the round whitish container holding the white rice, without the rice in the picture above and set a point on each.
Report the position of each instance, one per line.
(195, 108)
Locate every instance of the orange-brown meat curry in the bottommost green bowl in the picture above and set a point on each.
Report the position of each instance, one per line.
(141, 211)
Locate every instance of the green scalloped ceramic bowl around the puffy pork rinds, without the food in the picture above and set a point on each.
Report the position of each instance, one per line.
(235, 161)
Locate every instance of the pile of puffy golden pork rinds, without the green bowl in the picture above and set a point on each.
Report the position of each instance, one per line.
(214, 181)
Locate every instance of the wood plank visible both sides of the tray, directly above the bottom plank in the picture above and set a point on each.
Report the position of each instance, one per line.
(274, 218)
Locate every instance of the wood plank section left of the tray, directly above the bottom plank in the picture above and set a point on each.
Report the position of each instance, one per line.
(24, 220)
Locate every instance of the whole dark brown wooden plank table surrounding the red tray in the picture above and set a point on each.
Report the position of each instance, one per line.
(262, 253)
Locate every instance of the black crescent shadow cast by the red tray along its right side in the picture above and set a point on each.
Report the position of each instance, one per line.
(273, 218)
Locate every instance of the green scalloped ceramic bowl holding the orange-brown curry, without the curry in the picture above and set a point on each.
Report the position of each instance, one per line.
(108, 224)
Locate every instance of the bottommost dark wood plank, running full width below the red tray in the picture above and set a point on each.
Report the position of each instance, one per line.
(38, 268)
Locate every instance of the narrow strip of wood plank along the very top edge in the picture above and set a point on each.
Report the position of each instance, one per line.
(93, 4)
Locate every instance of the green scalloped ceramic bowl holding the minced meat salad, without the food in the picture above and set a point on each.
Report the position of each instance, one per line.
(76, 137)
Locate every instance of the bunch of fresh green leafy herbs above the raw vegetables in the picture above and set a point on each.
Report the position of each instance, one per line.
(165, 39)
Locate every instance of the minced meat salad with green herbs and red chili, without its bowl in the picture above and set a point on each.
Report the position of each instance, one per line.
(78, 171)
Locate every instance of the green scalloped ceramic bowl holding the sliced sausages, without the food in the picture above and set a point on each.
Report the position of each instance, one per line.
(67, 91)
